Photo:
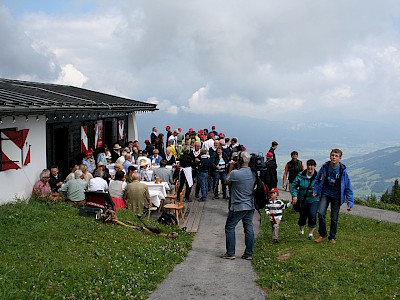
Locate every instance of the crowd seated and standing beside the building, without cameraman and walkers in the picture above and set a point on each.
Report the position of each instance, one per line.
(200, 157)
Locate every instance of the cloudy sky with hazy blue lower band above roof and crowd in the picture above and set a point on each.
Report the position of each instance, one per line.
(262, 70)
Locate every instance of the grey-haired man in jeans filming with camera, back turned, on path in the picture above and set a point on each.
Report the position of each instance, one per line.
(241, 180)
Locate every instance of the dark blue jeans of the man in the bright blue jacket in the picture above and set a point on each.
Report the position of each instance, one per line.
(322, 208)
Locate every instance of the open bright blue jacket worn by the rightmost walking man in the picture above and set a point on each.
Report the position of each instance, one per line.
(346, 191)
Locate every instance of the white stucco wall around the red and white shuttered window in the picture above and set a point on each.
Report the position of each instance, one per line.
(17, 184)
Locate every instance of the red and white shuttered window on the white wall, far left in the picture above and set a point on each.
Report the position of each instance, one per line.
(15, 149)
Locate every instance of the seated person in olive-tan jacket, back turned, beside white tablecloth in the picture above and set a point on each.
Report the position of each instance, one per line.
(137, 195)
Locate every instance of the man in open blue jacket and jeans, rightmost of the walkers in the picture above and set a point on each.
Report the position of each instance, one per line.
(333, 186)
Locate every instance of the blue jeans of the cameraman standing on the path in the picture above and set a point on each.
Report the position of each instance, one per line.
(233, 219)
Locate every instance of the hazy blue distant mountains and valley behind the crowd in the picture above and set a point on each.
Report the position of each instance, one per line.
(371, 170)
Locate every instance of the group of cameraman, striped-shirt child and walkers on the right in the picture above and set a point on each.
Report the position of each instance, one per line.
(311, 191)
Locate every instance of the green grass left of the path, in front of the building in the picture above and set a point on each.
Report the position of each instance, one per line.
(50, 252)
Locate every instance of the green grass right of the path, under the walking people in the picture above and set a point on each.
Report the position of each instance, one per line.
(364, 264)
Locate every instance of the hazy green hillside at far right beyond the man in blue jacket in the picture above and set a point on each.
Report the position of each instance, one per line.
(374, 172)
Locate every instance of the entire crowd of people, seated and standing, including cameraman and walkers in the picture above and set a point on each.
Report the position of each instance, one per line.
(213, 163)
